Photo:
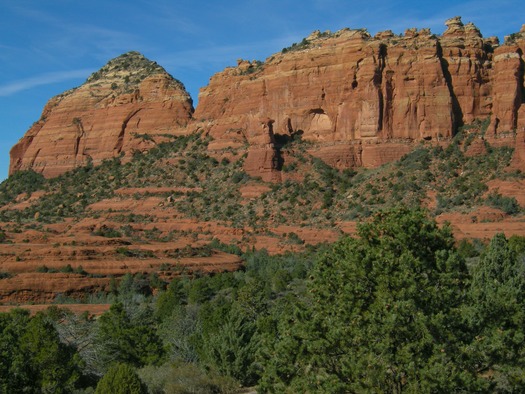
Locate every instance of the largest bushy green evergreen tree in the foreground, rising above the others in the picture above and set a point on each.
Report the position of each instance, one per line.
(382, 314)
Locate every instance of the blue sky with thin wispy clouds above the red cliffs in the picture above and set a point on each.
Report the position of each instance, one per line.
(47, 47)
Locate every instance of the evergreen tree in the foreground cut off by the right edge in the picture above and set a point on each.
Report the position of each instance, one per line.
(497, 298)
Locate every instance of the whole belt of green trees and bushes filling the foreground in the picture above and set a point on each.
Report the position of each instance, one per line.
(399, 308)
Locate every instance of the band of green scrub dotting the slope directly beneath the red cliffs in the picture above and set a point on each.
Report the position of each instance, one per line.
(313, 192)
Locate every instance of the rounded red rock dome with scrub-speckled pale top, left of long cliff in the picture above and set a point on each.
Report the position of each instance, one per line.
(129, 96)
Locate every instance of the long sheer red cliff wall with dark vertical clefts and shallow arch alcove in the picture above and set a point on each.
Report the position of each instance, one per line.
(362, 100)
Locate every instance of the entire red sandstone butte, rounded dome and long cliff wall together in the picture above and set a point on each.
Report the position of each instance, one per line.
(360, 100)
